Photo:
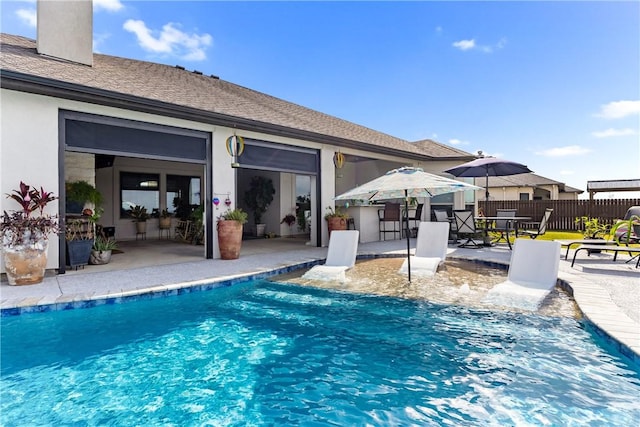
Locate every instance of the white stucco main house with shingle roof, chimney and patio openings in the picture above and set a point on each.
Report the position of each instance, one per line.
(151, 134)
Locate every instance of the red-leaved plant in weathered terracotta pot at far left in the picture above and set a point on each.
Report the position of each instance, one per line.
(25, 235)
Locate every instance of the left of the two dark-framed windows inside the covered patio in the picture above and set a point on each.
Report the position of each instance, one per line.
(139, 189)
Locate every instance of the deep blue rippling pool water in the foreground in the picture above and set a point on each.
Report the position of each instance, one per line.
(273, 354)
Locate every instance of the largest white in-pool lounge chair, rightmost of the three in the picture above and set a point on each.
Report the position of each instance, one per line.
(533, 272)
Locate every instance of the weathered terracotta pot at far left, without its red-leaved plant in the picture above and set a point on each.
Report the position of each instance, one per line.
(25, 264)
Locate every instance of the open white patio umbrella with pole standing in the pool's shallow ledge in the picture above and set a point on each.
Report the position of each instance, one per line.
(404, 183)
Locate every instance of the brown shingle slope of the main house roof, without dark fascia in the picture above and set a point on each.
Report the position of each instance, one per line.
(179, 87)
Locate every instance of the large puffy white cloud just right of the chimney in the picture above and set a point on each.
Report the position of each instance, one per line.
(170, 41)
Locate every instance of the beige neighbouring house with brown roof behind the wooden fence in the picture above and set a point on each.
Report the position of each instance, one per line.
(526, 186)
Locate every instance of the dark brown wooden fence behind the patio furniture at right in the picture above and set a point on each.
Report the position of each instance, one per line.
(565, 212)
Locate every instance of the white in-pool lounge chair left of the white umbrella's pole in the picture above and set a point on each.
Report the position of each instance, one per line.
(341, 256)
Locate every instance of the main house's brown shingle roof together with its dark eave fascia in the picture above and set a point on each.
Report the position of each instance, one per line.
(174, 91)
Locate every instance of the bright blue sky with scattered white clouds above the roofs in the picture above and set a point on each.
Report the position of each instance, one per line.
(554, 85)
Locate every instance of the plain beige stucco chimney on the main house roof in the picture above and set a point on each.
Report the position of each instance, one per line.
(65, 30)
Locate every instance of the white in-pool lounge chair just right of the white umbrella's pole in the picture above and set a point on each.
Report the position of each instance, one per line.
(431, 249)
